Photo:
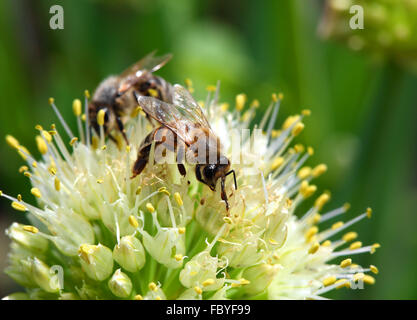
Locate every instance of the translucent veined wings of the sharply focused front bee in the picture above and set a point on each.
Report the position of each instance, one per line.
(183, 116)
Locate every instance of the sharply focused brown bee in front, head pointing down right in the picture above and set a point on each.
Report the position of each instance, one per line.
(185, 130)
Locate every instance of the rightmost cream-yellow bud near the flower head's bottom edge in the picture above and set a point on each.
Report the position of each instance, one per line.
(260, 277)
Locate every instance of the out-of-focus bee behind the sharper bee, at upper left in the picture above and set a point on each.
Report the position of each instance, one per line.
(113, 94)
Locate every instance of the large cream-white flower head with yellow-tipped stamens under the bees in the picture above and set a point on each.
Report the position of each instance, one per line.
(164, 236)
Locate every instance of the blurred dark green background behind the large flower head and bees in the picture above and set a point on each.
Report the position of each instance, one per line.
(364, 109)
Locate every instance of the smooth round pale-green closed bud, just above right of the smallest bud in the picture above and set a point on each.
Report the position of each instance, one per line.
(129, 254)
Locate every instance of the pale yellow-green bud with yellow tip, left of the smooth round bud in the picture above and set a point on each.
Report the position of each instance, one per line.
(96, 261)
